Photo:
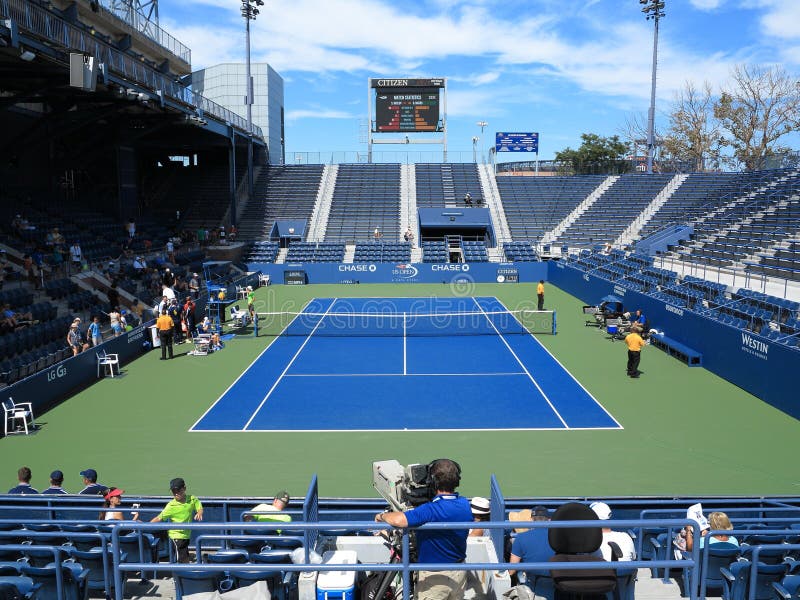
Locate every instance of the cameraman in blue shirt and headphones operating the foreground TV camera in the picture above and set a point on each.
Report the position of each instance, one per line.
(438, 546)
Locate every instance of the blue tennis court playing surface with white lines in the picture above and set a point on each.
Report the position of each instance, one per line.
(368, 364)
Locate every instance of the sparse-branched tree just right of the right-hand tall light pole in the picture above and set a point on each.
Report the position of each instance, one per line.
(693, 133)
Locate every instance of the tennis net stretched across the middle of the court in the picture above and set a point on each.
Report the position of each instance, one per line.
(408, 324)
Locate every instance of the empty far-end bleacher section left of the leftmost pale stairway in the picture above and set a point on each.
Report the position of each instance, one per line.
(283, 192)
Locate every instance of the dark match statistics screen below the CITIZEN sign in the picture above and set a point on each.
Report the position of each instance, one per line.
(409, 109)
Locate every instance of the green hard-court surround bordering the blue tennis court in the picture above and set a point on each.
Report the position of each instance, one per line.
(686, 431)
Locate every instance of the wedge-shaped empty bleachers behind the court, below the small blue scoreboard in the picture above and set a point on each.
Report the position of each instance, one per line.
(535, 205)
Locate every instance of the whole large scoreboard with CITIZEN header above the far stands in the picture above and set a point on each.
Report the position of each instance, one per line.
(406, 105)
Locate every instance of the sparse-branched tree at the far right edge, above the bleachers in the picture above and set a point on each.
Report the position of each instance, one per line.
(762, 106)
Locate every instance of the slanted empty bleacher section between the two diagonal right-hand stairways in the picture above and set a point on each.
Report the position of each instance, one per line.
(611, 214)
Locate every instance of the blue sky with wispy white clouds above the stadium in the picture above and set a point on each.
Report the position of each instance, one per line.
(559, 67)
